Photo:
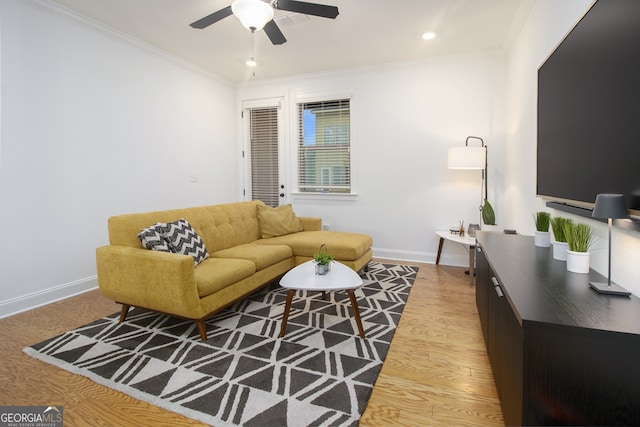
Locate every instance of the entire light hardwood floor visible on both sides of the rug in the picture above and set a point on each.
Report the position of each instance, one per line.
(436, 373)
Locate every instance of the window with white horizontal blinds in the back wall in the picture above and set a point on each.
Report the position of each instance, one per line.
(324, 147)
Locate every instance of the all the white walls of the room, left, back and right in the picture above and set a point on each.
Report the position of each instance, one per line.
(93, 124)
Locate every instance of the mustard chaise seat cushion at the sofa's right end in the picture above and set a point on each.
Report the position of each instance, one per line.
(342, 245)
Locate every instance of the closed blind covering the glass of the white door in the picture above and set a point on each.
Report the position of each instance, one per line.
(263, 135)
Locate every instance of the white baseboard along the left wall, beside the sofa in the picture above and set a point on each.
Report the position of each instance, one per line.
(47, 296)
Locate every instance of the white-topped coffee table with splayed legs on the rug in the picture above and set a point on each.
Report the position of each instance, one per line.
(304, 278)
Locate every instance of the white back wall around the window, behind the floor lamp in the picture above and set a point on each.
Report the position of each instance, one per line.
(404, 119)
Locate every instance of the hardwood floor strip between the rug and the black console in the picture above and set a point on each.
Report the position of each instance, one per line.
(437, 372)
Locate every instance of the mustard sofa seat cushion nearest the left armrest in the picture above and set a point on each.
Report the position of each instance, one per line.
(214, 274)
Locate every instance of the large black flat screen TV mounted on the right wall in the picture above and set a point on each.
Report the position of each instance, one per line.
(589, 109)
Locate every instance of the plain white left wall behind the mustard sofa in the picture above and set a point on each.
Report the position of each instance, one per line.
(94, 125)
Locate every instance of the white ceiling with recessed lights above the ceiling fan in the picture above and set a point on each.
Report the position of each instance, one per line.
(366, 32)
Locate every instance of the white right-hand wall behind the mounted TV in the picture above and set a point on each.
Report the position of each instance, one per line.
(547, 24)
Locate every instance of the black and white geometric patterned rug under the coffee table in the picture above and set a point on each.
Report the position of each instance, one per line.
(321, 373)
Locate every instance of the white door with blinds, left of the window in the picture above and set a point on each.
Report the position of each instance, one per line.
(262, 127)
